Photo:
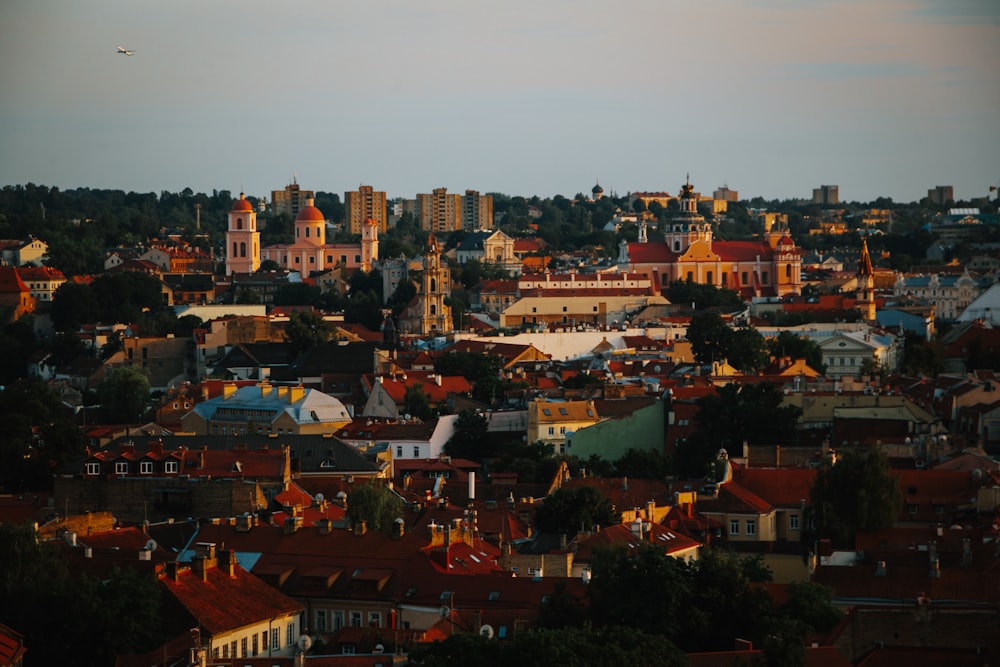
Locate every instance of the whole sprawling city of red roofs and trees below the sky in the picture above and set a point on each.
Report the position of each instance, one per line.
(324, 429)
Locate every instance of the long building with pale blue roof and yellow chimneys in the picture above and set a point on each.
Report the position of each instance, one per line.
(266, 409)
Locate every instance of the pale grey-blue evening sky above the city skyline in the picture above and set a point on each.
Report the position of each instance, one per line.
(770, 98)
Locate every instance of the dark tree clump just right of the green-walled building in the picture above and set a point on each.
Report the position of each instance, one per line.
(733, 414)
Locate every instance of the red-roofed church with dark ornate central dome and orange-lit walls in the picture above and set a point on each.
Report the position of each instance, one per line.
(770, 267)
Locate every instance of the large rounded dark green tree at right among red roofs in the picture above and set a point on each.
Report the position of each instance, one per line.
(853, 492)
